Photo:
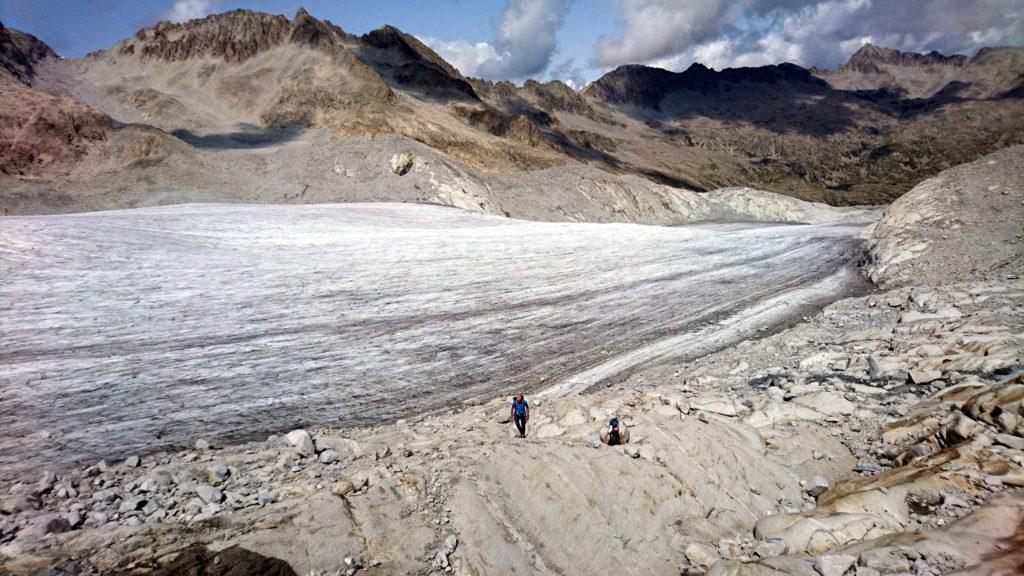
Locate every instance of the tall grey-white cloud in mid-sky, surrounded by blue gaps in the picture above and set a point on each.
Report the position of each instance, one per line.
(524, 45)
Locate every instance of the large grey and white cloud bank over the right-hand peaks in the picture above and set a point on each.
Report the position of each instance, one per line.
(824, 33)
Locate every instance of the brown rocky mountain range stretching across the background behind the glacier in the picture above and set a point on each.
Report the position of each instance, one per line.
(865, 133)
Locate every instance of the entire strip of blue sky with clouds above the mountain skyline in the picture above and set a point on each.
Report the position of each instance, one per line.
(578, 40)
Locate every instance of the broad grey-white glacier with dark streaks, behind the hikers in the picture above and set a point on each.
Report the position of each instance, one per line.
(136, 331)
